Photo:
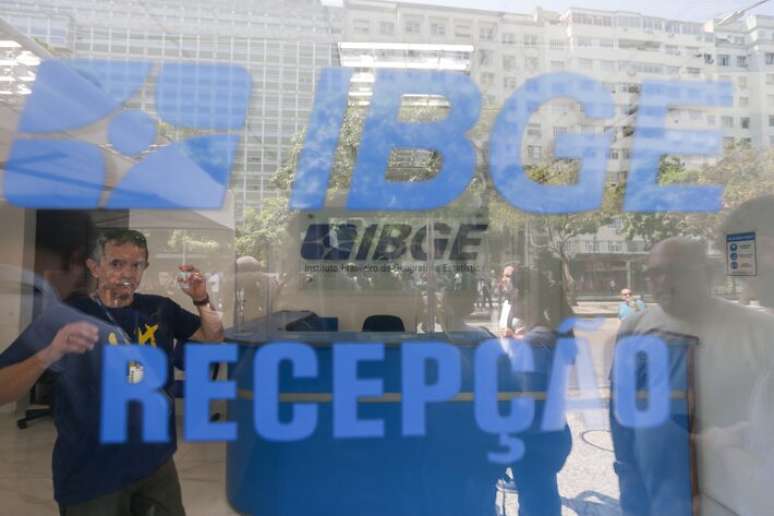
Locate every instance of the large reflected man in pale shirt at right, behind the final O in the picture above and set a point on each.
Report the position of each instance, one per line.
(731, 351)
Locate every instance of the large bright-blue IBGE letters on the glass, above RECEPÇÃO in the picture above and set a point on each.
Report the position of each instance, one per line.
(384, 131)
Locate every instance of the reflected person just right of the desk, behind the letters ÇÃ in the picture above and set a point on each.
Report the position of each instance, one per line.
(540, 308)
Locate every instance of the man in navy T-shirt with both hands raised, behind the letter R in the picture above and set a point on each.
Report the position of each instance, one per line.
(117, 479)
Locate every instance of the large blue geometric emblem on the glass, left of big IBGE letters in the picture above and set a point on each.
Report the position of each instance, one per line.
(50, 165)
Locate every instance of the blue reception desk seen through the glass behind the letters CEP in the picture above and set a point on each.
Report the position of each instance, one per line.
(445, 472)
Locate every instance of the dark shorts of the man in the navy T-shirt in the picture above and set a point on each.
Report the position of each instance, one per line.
(156, 495)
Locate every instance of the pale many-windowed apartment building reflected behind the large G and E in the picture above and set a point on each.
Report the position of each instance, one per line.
(619, 49)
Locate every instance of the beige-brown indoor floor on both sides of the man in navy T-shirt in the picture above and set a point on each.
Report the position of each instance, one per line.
(25, 472)
